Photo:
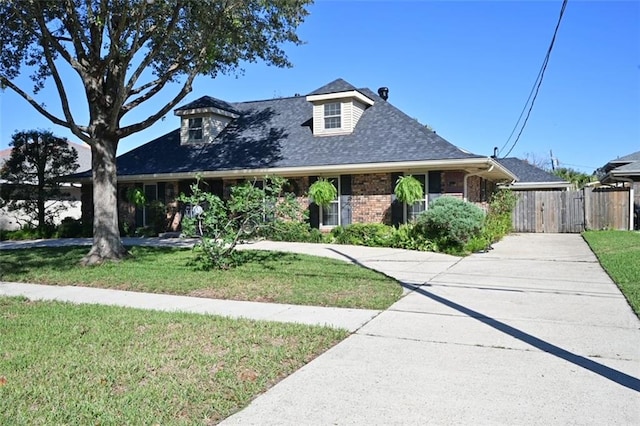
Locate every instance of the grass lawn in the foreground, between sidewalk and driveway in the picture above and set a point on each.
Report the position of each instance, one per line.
(85, 364)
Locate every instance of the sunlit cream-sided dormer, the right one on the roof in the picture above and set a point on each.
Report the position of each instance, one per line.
(337, 108)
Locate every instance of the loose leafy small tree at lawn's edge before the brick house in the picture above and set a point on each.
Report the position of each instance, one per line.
(250, 209)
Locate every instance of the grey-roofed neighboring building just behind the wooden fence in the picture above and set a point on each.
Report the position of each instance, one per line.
(530, 177)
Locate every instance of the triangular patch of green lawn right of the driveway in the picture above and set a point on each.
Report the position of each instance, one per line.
(619, 254)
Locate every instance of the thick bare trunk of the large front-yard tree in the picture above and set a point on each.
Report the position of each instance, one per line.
(107, 245)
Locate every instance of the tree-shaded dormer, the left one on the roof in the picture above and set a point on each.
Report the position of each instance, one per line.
(202, 120)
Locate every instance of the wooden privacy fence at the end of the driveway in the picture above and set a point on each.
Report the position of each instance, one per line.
(572, 211)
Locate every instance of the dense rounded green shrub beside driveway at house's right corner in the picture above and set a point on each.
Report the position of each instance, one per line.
(450, 223)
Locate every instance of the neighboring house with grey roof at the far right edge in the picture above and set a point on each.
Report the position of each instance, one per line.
(624, 171)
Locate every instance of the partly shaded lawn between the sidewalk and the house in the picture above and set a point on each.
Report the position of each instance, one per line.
(266, 276)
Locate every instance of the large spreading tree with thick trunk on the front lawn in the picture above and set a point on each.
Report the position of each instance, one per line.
(125, 52)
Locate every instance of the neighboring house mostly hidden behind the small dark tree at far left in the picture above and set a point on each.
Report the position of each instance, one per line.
(72, 208)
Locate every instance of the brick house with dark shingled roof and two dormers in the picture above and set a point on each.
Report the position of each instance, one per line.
(353, 137)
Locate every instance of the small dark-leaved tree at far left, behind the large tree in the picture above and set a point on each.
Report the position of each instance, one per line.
(37, 160)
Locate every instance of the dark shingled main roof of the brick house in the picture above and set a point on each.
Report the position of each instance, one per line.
(277, 133)
